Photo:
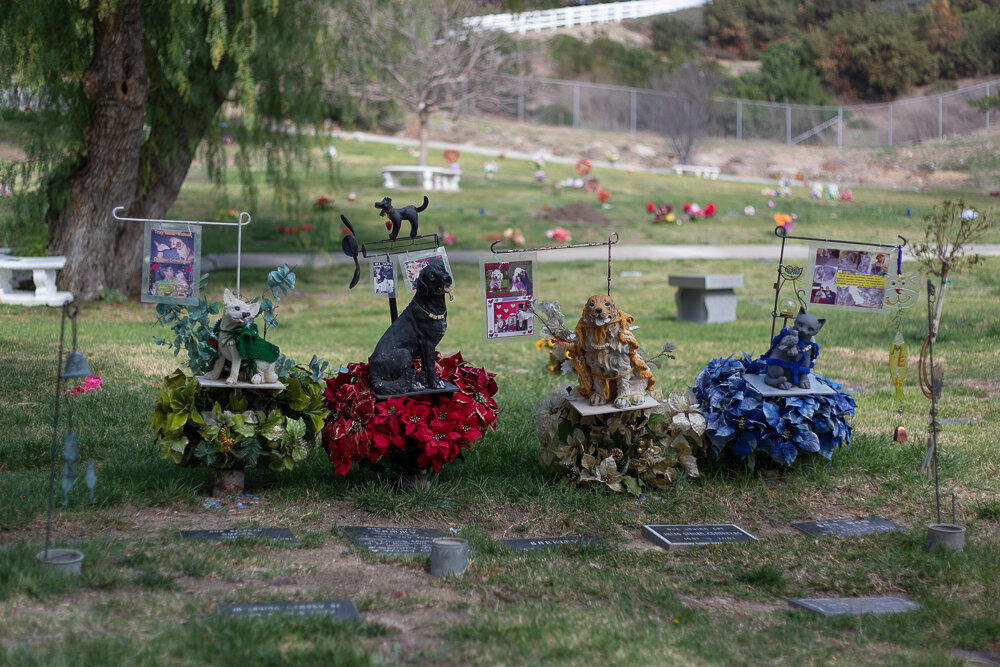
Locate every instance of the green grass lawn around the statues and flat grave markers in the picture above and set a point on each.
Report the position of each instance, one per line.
(148, 598)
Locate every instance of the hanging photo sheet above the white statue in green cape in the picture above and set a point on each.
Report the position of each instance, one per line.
(171, 263)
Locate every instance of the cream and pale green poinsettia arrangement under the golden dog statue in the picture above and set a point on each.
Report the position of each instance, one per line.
(625, 451)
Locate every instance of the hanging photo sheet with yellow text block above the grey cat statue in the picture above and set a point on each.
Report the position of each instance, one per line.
(849, 276)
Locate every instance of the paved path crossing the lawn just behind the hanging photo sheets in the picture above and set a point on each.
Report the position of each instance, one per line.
(619, 252)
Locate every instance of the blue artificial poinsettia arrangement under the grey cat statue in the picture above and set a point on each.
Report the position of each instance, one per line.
(740, 420)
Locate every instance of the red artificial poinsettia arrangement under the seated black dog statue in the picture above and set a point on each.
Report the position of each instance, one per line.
(410, 432)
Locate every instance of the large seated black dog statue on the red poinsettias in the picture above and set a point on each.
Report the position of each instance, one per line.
(416, 332)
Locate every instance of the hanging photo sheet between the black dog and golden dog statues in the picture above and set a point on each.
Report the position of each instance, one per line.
(507, 287)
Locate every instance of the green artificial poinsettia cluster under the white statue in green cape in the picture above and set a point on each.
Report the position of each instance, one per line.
(228, 429)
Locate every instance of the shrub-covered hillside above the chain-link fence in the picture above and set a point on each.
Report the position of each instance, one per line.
(813, 52)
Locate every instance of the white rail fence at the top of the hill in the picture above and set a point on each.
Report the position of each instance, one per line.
(564, 17)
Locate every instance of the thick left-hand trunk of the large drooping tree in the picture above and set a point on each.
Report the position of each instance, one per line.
(101, 252)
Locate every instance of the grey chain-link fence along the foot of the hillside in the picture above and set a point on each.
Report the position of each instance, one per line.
(633, 110)
